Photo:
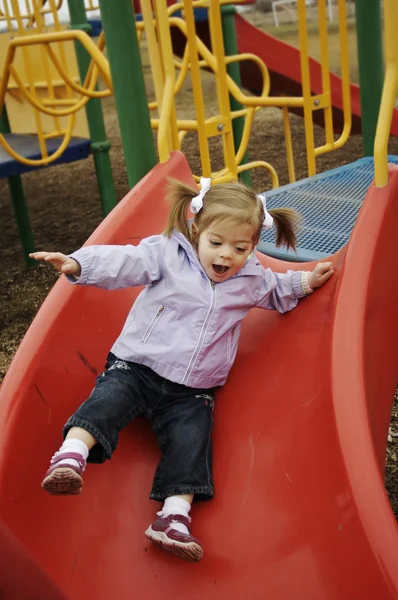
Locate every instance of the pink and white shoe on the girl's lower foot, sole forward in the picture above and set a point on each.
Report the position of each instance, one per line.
(182, 544)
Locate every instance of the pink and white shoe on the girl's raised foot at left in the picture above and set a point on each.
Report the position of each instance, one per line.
(66, 479)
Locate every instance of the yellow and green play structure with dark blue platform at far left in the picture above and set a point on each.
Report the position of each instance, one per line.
(41, 102)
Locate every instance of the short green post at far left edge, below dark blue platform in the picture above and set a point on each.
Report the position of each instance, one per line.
(19, 204)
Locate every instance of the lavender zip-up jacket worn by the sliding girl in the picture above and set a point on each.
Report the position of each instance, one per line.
(182, 325)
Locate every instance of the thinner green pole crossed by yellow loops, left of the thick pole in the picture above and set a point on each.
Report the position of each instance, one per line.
(100, 145)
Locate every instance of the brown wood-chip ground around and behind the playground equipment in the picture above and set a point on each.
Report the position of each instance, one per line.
(64, 207)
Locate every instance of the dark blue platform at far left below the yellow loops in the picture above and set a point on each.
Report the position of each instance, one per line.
(28, 146)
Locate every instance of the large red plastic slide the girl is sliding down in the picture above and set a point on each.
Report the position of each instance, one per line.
(300, 432)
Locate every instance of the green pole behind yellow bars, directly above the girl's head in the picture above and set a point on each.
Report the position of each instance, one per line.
(233, 70)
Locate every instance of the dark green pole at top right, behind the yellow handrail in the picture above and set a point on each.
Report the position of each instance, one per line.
(370, 62)
